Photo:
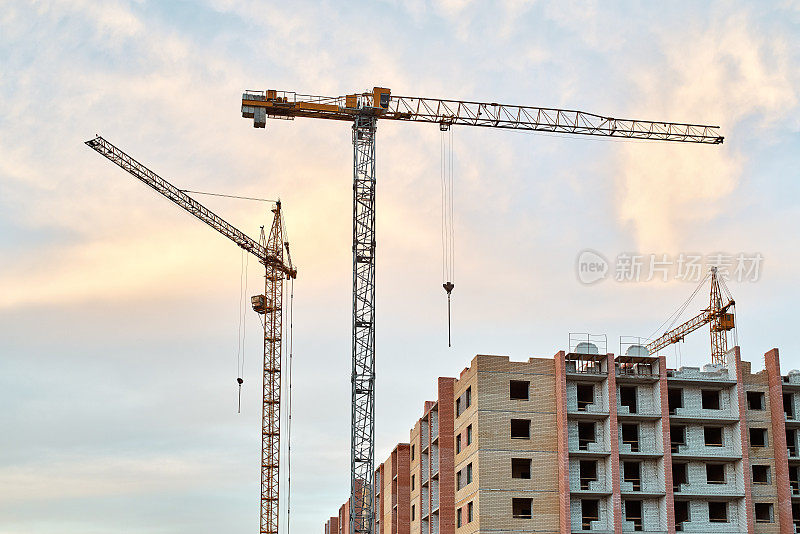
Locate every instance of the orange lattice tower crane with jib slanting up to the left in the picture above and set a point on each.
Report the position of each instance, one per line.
(269, 251)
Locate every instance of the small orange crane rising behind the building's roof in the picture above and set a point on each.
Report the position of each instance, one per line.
(719, 315)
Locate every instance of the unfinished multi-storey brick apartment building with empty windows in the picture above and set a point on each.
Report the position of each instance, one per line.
(625, 444)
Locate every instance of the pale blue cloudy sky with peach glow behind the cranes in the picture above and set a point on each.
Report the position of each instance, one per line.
(119, 314)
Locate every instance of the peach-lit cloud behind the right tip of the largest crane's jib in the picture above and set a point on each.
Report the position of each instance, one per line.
(728, 75)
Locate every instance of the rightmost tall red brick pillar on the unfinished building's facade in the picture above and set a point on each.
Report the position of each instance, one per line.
(775, 380)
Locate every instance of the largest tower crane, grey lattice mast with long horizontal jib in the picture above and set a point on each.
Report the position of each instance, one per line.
(363, 110)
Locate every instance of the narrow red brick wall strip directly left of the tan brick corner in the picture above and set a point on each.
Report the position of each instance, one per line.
(447, 476)
